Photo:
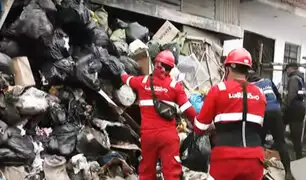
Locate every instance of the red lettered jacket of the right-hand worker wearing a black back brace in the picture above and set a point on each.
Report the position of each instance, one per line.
(223, 104)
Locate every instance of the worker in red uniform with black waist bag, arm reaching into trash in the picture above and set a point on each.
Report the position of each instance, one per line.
(159, 137)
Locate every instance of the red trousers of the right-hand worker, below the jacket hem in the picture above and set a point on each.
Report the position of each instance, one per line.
(236, 169)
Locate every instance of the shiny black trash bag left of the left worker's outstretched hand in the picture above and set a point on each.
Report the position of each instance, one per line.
(87, 70)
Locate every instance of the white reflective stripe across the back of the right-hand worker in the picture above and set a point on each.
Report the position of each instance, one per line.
(238, 117)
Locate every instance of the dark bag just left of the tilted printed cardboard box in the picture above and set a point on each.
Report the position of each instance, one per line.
(137, 31)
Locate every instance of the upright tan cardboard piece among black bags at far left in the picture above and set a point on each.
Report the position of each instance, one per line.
(23, 75)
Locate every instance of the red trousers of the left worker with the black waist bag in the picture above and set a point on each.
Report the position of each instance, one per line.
(163, 144)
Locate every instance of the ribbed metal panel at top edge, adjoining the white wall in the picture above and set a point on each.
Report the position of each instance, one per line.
(227, 11)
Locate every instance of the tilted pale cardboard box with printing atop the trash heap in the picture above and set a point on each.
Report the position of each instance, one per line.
(166, 33)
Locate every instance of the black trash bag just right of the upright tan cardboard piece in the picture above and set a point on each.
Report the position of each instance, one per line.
(59, 71)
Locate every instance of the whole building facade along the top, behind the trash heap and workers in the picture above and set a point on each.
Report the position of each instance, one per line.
(274, 31)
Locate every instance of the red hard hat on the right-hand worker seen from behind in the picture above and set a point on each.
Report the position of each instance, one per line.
(239, 56)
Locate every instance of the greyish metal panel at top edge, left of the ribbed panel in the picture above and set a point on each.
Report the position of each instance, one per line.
(204, 8)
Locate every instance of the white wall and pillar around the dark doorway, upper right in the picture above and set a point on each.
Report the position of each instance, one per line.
(280, 25)
